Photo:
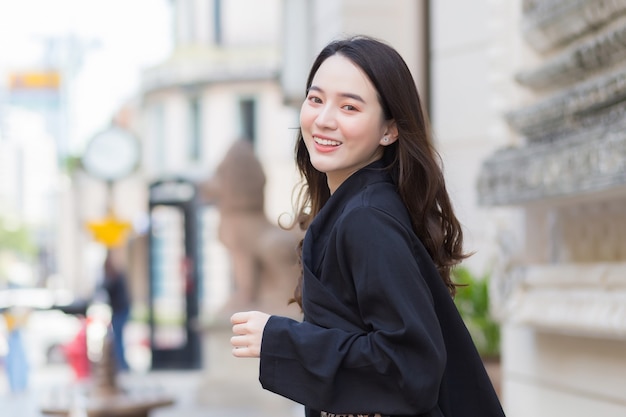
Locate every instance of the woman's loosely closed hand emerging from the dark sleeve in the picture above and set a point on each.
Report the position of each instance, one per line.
(248, 327)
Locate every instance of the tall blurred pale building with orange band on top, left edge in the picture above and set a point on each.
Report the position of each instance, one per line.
(30, 124)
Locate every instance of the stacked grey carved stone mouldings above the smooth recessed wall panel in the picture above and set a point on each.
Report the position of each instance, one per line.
(574, 140)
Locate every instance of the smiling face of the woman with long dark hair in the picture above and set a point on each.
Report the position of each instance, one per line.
(342, 121)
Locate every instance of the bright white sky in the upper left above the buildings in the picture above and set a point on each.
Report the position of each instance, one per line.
(119, 38)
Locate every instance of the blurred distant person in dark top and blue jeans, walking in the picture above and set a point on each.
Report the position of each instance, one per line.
(115, 285)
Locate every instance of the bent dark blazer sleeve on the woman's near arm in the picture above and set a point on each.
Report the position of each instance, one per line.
(394, 365)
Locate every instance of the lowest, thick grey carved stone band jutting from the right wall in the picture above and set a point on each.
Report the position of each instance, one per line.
(594, 161)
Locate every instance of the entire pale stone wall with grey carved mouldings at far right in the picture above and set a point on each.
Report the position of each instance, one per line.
(560, 288)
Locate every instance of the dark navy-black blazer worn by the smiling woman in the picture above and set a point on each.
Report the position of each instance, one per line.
(381, 333)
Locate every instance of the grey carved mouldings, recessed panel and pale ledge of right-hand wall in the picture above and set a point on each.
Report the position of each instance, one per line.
(572, 169)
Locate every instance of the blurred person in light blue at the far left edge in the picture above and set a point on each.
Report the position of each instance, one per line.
(17, 366)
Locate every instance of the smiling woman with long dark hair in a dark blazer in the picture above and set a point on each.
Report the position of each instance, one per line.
(381, 335)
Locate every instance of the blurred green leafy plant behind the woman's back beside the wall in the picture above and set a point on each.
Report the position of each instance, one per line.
(472, 301)
